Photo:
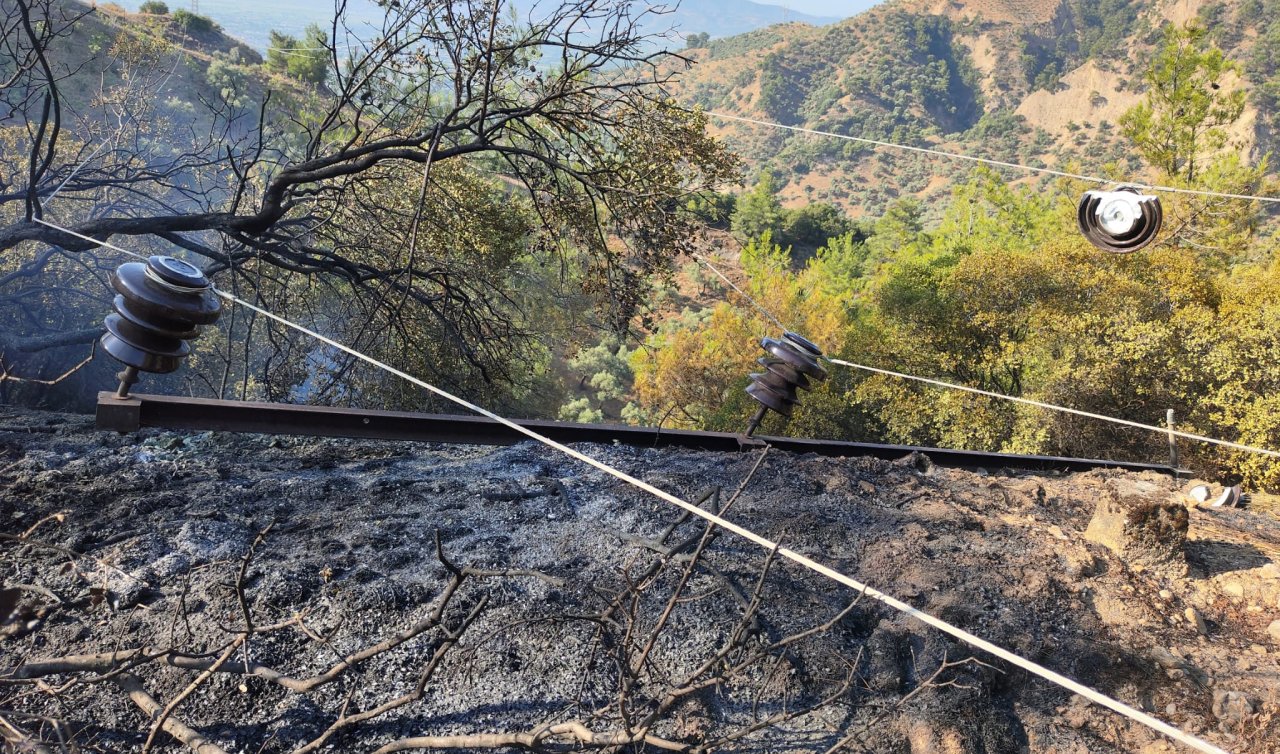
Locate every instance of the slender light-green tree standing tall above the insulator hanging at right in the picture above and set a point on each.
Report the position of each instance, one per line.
(1183, 118)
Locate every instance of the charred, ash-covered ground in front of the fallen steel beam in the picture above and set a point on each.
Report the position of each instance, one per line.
(588, 604)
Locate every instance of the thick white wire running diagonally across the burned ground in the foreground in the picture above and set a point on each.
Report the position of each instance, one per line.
(972, 639)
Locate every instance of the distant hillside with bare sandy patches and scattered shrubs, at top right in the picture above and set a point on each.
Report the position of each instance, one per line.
(1036, 81)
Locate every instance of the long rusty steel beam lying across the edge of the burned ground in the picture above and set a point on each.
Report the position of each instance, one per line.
(246, 417)
